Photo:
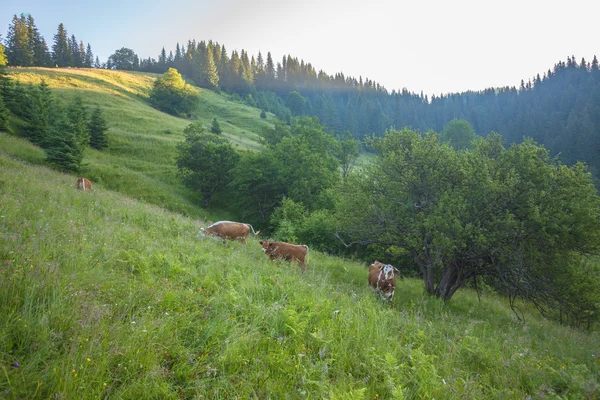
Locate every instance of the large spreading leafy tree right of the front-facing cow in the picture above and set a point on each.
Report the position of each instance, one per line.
(508, 216)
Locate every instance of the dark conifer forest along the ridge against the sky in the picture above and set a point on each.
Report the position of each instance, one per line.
(559, 109)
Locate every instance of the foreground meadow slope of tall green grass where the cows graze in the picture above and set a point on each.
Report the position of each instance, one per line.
(104, 296)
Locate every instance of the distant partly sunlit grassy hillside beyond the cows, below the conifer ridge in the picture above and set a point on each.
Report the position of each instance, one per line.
(141, 156)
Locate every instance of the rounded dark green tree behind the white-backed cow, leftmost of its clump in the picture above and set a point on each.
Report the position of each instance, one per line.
(205, 161)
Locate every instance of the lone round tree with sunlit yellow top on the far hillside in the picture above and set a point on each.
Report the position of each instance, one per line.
(172, 95)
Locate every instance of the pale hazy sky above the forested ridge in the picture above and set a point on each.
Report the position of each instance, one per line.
(430, 46)
